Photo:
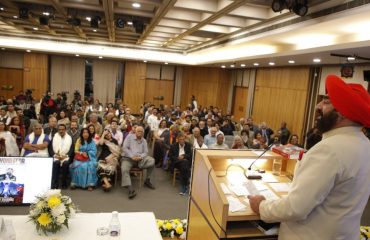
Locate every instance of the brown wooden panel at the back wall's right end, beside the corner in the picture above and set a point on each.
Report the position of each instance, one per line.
(210, 86)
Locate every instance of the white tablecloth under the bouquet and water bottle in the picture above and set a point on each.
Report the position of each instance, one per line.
(134, 226)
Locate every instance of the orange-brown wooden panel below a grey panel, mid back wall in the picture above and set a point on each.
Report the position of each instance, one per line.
(155, 88)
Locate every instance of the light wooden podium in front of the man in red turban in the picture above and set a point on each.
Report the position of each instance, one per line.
(209, 170)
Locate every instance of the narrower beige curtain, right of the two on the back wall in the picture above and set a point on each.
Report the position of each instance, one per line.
(105, 75)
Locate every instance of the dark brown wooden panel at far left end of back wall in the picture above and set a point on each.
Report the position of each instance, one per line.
(11, 82)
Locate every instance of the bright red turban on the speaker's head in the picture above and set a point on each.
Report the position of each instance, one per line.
(351, 100)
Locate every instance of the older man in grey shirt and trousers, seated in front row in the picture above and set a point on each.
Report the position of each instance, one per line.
(135, 150)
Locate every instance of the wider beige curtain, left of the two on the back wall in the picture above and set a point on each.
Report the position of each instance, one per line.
(67, 74)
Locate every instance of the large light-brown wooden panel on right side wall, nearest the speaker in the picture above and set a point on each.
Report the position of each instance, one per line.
(281, 95)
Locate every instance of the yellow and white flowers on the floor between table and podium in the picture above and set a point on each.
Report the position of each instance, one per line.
(172, 228)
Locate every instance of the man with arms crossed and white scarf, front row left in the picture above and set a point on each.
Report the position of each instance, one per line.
(36, 143)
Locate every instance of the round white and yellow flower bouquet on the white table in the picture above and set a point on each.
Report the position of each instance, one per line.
(51, 211)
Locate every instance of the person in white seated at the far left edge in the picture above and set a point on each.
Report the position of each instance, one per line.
(7, 141)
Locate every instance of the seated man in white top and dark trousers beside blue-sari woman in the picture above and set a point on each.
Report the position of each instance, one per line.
(61, 150)
